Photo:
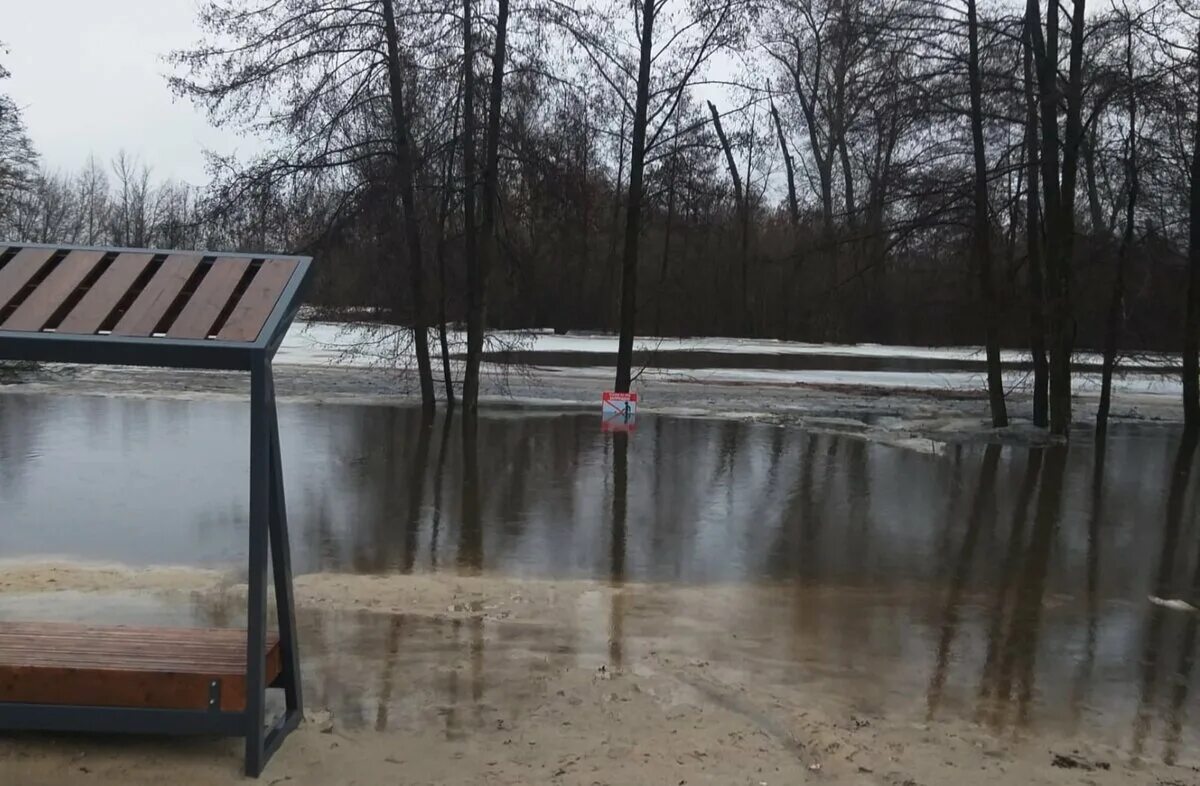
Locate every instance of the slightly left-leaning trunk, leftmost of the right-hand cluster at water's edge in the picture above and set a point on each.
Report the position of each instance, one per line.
(982, 241)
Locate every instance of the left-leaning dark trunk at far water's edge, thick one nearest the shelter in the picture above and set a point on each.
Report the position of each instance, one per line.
(409, 202)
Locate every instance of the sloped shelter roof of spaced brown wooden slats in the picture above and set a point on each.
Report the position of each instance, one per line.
(140, 307)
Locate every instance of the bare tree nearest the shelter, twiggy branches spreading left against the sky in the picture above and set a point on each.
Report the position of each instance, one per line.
(345, 115)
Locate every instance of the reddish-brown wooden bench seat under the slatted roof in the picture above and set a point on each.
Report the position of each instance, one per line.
(117, 667)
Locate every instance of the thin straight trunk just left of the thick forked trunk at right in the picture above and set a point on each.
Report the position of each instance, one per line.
(1034, 249)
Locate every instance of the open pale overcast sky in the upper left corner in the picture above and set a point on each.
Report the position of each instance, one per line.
(89, 76)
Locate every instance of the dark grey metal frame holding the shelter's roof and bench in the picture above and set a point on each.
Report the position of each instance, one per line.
(268, 526)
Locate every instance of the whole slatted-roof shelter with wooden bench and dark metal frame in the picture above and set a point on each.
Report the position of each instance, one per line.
(183, 310)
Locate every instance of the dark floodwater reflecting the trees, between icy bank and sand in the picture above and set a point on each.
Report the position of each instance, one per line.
(1005, 586)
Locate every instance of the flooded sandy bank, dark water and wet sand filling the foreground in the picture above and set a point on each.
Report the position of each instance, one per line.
(718, 602)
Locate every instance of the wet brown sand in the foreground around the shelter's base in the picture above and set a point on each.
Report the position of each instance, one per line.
(475, 680)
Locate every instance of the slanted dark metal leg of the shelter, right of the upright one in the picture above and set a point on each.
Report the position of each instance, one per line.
(281, 567)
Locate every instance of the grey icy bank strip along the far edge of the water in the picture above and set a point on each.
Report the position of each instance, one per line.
(923, 412)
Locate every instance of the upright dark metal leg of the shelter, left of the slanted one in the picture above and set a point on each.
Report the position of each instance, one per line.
(260, 523)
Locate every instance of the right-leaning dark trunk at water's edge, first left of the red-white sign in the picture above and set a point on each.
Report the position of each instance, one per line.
(477, 313)
